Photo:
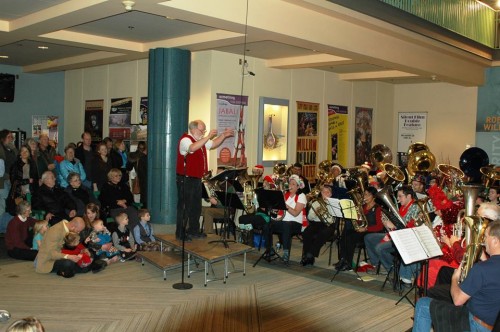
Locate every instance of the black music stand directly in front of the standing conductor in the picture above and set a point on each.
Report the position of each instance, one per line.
(227, 200)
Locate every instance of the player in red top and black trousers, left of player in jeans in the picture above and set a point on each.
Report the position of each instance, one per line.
(352, 235)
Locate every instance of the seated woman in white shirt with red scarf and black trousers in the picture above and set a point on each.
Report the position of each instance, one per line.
(294, 217)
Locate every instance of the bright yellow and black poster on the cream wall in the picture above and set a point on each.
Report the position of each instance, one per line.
(338, 133)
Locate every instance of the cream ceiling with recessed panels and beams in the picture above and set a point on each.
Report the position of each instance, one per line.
(286, 33)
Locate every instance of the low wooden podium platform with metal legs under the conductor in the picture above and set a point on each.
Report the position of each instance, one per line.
(209, 253)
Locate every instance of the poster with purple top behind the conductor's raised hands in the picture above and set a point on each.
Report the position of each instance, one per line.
(231, 113)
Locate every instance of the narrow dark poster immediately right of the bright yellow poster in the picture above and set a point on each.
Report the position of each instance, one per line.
(363, 134)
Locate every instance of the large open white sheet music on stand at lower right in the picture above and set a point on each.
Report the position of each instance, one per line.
(416, 244)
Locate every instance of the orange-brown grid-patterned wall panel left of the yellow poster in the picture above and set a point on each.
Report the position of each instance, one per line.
(307, 138)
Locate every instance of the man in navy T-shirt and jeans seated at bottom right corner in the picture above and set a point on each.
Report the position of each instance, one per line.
(475, 300)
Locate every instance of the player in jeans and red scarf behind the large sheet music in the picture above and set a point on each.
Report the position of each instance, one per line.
(380, 247)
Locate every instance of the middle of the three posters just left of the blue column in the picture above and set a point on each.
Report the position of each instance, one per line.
(119, 118)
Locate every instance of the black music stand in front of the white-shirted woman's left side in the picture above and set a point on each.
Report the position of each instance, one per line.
(270, 200)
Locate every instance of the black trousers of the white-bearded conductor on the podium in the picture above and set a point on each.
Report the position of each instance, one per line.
(188, 203)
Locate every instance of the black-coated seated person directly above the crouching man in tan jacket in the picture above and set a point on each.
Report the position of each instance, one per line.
(52, 199)
